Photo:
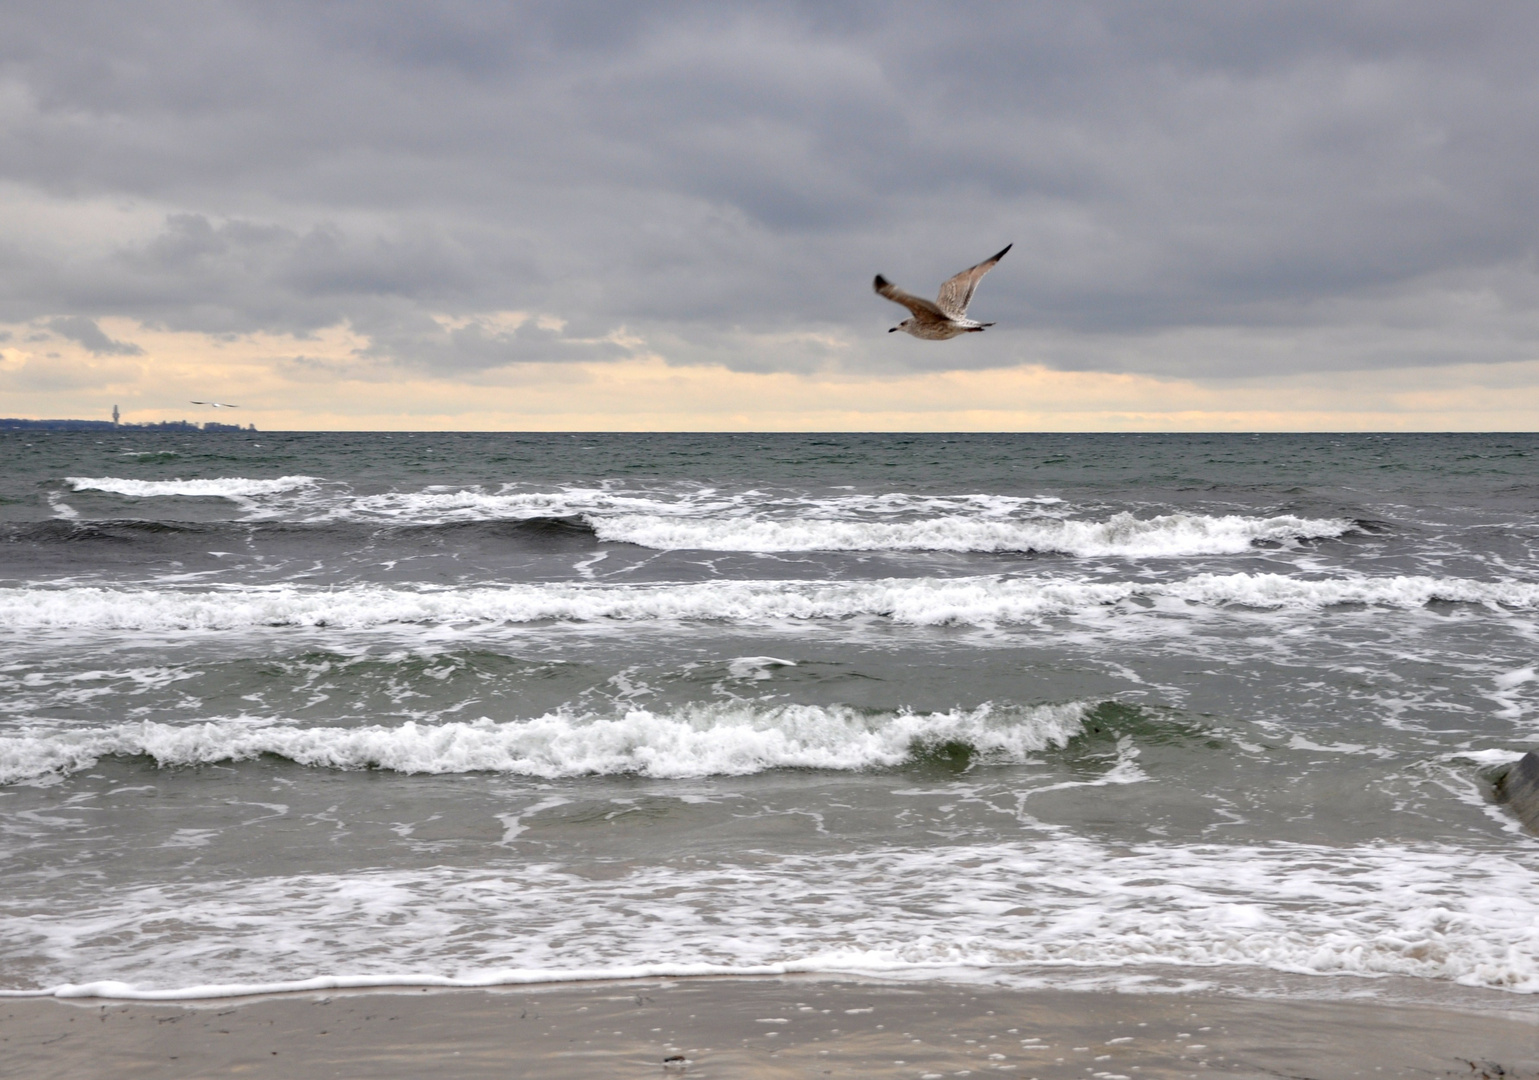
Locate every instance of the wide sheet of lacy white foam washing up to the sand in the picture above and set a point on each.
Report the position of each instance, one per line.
(1041, 905)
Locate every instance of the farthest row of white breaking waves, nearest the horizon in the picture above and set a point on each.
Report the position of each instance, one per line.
(706, 519)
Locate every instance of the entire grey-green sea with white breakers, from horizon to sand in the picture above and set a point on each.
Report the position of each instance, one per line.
(1124, 712)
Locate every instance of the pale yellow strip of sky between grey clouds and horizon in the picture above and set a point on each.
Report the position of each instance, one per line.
(330, 382)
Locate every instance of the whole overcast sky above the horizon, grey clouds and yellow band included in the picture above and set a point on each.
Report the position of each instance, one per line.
(422, 215)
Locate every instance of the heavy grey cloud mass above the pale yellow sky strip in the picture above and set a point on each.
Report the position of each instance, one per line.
(701, 175)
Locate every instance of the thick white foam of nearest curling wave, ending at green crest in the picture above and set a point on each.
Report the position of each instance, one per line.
(696, 741)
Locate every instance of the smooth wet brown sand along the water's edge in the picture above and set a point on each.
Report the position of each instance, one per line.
(719, 1028)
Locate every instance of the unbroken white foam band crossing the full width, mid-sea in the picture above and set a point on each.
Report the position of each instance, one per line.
(923, 602)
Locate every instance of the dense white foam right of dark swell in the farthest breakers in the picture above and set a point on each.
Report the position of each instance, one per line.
(1121, 535)
